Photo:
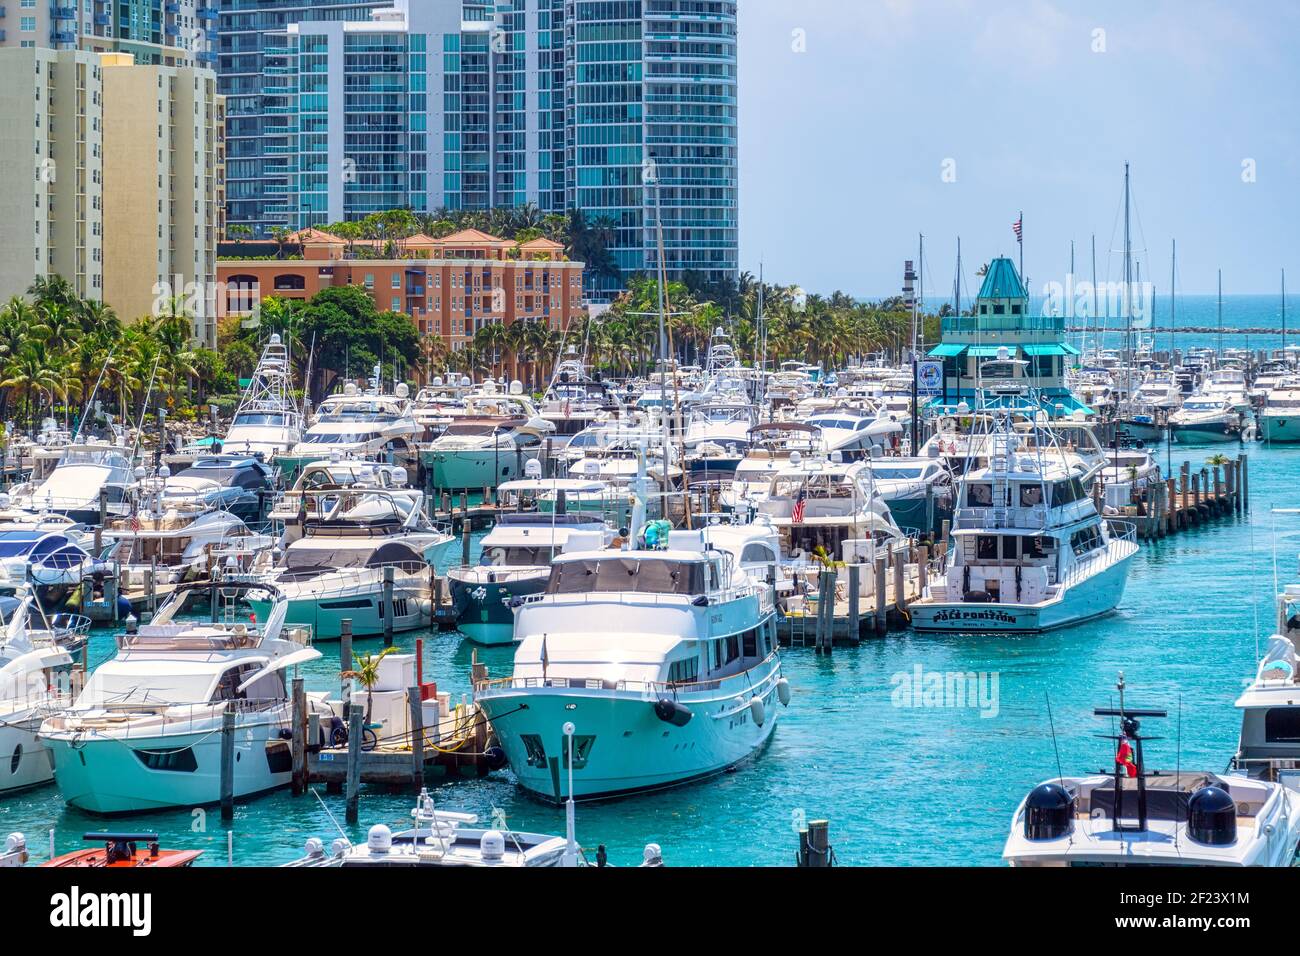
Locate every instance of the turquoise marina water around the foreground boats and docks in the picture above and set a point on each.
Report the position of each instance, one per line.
(907, 786)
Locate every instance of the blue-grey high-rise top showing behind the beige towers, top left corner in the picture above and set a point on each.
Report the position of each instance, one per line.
(171, 33)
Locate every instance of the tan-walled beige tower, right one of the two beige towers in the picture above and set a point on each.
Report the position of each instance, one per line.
(163, 167)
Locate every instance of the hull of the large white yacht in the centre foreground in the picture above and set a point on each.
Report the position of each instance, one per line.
(631, 749)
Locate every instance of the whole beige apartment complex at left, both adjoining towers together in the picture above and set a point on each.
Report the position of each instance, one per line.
(127, 181)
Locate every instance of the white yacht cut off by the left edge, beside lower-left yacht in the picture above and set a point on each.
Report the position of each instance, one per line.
(36, 681)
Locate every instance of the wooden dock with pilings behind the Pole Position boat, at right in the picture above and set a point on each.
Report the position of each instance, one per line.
(1188, 500)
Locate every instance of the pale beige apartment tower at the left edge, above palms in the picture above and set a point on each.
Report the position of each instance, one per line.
(51, 149)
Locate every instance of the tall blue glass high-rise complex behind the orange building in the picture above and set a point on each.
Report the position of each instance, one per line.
(473, 105)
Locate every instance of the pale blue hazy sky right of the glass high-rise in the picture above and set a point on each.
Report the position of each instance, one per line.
(868, 123)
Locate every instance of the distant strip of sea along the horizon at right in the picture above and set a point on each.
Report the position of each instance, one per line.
(1199, 312)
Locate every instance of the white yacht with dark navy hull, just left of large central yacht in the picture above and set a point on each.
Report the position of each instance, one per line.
(517, 563)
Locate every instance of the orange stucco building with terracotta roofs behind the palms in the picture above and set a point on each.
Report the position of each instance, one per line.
(450, 287)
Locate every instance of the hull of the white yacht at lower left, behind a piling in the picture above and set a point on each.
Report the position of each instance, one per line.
(111, 775)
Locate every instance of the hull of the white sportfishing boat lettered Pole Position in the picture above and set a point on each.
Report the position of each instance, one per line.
(1093, 598)
